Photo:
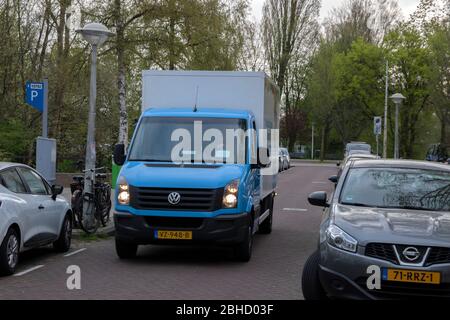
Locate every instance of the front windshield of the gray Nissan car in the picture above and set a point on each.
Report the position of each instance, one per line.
(415, 189)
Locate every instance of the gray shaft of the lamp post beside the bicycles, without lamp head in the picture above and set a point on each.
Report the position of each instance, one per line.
(90, 146)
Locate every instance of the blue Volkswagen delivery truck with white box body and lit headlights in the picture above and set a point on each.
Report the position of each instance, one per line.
(202, 164)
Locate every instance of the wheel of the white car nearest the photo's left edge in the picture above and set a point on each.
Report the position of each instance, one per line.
(9, 253)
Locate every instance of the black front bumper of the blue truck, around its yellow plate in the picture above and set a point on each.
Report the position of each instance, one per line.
(223, 229)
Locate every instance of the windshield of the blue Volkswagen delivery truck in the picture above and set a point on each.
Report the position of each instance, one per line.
(204, 140)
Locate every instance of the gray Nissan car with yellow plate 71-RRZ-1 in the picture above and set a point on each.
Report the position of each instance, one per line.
(385, 233)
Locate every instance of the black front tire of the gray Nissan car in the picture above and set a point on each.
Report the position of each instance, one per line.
(311, 287)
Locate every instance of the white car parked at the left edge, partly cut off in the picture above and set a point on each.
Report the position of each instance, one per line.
(31, 215)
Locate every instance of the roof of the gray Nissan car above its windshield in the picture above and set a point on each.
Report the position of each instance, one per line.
(391, 163)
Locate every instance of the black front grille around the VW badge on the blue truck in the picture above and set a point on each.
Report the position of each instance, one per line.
(190, 199)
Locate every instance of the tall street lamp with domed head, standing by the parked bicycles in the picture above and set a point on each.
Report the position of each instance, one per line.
(95, 34)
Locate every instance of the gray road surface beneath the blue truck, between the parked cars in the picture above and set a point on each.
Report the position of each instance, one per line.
(170, 272)
